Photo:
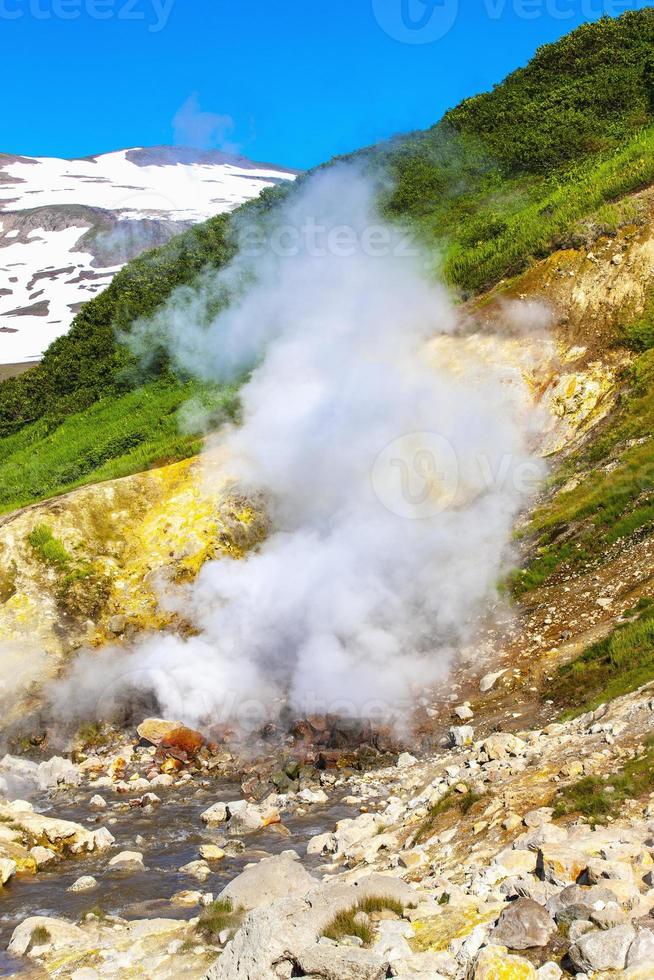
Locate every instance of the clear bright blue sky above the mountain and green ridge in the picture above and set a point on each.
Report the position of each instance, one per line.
(289, 81)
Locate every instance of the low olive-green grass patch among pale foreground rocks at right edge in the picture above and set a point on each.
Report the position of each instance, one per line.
(598, 799)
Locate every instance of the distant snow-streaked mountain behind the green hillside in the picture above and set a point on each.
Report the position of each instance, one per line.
(67, 226)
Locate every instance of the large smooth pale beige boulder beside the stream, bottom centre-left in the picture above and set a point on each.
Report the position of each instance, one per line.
(271, 879)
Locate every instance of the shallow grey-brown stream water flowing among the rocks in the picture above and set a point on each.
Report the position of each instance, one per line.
(172, 835)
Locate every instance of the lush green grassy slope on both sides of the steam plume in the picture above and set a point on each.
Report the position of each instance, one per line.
(501, 180)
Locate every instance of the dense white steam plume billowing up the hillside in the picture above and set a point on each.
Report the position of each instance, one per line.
(393, 484)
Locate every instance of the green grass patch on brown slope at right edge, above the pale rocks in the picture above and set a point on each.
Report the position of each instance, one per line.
(620, 663)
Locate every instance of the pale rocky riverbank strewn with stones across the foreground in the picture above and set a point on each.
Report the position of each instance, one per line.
(473, 861)
